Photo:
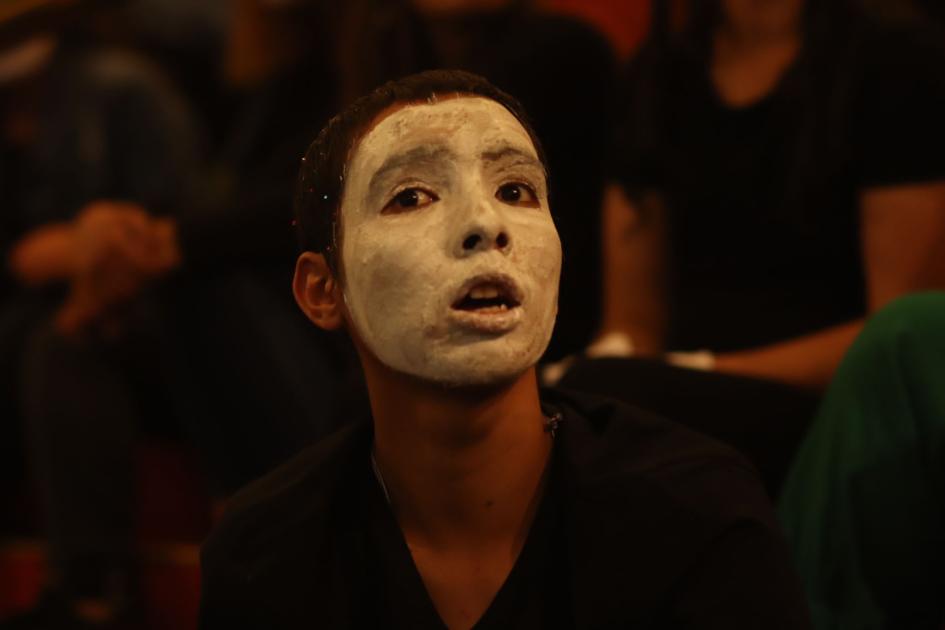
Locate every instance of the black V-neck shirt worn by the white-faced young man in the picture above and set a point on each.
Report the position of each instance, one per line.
(659, 528)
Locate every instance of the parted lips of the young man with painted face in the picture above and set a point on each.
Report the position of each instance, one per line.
(488, 303)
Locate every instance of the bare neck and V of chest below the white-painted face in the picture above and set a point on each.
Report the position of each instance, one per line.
(465, 471)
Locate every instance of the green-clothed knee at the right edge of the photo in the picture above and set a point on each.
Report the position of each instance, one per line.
(864, 503)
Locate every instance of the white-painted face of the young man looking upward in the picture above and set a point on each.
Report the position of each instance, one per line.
(451, 259)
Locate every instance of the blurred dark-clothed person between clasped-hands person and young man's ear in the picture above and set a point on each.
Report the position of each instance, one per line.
(279, 75)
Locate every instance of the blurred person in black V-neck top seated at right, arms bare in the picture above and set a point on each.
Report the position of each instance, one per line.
(780, 175)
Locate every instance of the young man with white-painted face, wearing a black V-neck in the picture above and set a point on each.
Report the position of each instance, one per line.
(470, 500)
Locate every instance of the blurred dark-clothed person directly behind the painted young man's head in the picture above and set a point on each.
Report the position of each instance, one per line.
(559, 68)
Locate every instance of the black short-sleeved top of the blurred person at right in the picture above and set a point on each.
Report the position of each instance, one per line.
(763, 199)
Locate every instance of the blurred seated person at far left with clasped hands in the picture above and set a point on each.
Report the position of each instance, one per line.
(90, 137)
